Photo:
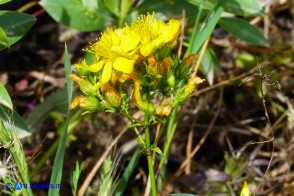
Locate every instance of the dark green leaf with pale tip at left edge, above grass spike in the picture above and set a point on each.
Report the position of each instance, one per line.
(12, 120)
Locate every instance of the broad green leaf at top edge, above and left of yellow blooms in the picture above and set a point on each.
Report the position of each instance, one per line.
(84, 15)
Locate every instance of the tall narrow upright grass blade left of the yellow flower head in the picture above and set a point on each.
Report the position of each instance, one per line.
(59, 157)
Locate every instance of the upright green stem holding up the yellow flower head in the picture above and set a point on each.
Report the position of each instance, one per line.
(149, 158)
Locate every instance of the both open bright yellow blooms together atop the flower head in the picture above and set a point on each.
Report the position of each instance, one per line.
(120, 49)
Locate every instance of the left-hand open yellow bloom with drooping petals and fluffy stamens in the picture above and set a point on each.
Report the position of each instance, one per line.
(116, 49)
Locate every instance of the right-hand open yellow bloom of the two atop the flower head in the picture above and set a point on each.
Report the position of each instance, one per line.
(153, 33)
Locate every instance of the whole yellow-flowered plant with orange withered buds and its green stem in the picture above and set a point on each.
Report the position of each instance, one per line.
(134, 67)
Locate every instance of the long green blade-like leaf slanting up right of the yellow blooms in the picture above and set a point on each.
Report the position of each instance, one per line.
(207, 27)
